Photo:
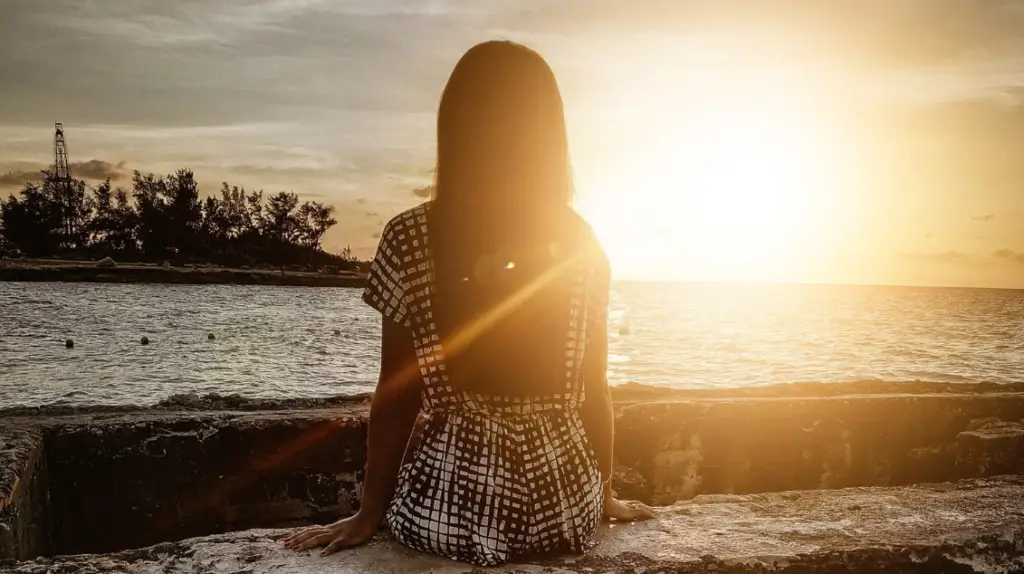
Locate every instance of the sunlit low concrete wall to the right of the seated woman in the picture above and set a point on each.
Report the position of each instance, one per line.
(686, 449)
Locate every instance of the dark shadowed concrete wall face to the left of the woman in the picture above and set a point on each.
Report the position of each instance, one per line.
(163, 478)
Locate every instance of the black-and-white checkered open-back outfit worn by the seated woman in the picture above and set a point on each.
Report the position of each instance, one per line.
(492, 477)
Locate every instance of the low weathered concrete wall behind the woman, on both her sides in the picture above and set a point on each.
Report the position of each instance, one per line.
(197, 466)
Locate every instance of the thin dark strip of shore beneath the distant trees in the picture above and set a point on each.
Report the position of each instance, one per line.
(79, 272)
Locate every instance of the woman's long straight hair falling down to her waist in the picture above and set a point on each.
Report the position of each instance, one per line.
(501, 211)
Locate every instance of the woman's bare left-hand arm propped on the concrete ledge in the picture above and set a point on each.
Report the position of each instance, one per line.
(393, 417)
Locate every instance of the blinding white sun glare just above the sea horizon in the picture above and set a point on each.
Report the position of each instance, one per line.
(728, 193)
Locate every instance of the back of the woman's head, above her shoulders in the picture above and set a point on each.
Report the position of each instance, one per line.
(501, 133)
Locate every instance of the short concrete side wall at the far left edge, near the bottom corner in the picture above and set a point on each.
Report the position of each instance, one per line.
(24, 495)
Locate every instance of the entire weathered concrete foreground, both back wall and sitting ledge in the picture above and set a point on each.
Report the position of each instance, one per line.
(860, 478)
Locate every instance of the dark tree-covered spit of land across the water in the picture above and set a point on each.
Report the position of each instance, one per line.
(165, 231)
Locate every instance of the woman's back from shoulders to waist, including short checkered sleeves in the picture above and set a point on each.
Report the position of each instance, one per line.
(508, 328)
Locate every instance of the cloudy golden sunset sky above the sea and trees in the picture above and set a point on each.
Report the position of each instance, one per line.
(869, 142)
